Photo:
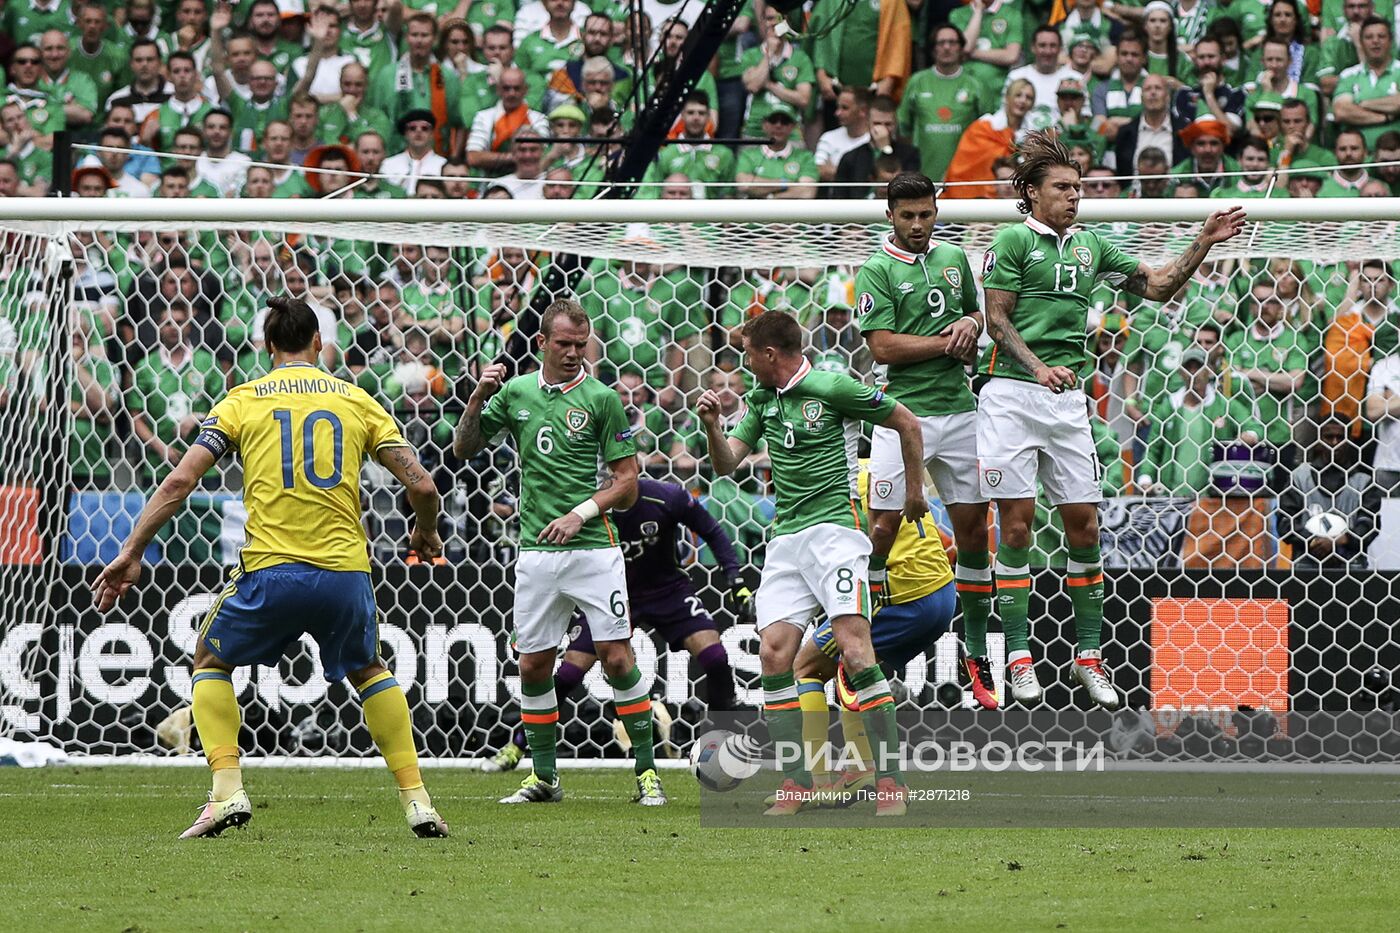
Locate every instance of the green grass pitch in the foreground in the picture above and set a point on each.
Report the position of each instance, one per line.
(96, 850)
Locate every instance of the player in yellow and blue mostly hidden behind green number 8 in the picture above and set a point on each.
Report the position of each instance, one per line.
(922, 606)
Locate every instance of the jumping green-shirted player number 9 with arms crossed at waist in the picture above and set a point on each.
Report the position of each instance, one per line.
(918, 306)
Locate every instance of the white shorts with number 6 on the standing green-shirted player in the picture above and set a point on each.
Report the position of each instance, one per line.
(551, 585)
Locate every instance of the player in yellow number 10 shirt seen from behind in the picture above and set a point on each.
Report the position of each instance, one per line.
(304, 568)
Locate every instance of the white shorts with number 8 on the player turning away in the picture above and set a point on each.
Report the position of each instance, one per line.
(820, 569)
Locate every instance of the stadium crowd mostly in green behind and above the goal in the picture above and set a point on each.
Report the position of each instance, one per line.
(1262, 385)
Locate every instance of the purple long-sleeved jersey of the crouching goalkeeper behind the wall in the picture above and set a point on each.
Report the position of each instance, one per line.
(649, 539)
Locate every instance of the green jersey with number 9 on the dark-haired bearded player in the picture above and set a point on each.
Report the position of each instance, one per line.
(920, 295)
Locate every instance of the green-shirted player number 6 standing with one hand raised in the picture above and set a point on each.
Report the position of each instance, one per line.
(565, 422)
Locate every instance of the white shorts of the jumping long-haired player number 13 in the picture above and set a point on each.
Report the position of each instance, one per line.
(1027, 432)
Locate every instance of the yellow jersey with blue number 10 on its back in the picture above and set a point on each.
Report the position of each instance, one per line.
(302, 436)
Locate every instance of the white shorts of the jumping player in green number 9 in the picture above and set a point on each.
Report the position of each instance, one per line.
(950, 456)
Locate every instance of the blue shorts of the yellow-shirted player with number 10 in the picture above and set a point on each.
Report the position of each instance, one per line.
(260, 614)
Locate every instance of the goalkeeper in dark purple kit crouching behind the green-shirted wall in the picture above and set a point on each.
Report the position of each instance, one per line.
(663, 599)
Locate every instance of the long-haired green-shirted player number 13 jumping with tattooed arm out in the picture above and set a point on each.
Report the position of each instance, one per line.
(1032, 420)
